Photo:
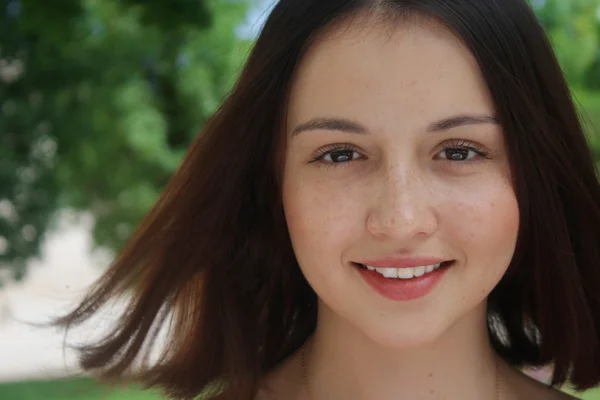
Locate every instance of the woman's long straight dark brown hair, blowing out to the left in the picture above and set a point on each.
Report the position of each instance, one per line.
(213, 257)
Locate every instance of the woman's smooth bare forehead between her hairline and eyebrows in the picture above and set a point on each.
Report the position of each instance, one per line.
(407, 76)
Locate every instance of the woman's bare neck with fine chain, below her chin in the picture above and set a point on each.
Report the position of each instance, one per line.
(342, 362)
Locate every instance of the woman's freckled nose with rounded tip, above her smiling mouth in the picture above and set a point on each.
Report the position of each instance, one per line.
(403, 207)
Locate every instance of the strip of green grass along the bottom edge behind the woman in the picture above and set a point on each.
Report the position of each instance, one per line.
(87, 389)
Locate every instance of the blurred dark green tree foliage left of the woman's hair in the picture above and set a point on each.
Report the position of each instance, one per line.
(99, 100)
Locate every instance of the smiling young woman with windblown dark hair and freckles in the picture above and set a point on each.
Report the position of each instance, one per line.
(395, 202)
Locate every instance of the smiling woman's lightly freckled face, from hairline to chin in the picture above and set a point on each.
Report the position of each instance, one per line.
(394, 160)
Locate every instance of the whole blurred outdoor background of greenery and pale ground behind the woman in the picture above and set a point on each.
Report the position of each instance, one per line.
(99, 100)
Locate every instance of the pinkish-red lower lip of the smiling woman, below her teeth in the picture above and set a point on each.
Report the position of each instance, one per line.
(403, 289)
